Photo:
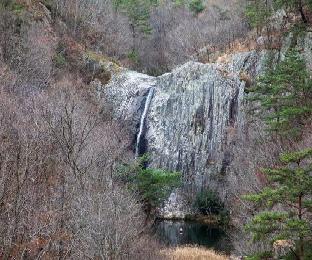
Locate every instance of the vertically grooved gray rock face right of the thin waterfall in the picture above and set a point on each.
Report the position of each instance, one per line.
(193, 110)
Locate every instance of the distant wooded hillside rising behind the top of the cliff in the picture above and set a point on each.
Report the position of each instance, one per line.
(153, 36)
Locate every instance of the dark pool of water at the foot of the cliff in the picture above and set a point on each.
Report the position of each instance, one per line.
(176, 233)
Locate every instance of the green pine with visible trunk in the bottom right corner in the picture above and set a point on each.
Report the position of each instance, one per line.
(290, 187)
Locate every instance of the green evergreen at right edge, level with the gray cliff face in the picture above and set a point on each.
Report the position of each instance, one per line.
(285, 95)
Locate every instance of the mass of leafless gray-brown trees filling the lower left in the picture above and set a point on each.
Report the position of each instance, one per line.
(57, 195)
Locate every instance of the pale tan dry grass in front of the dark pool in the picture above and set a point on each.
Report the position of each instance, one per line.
(192, 253)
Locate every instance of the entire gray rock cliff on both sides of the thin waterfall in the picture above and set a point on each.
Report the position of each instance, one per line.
(194, 111)
